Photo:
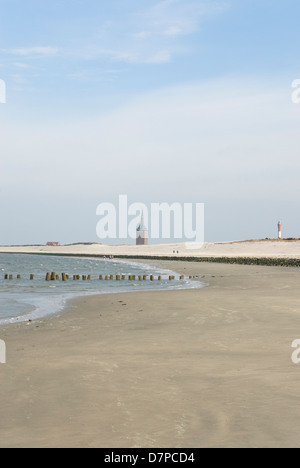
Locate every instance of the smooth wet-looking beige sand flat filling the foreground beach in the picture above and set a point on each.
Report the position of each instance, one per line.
(193, 368)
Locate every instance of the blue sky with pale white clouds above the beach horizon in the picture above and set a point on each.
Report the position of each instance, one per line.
(185, 101)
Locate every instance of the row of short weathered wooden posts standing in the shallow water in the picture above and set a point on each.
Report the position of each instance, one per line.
(54, 277)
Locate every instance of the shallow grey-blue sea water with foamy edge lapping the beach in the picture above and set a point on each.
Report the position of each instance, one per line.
(23, 300)
